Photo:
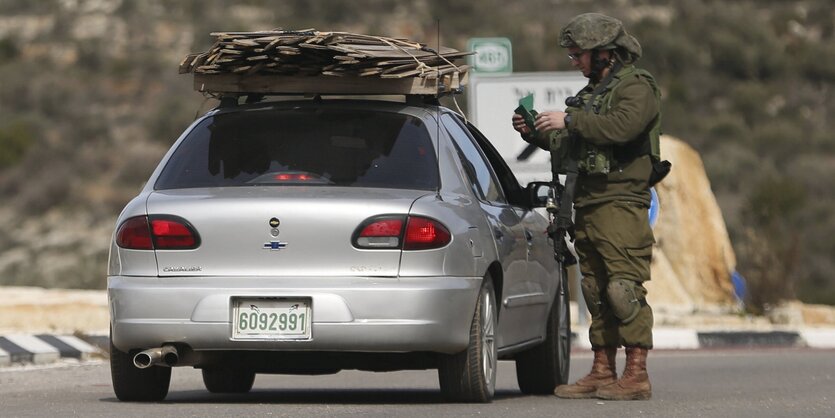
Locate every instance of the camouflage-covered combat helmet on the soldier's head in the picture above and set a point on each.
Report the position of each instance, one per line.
(590, 31)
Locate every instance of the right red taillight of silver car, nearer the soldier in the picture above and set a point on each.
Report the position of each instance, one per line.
(401, 232)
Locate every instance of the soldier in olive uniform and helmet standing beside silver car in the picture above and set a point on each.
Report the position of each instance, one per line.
(610, 131)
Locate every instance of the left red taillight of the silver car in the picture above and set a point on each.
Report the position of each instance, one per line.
(157, 232)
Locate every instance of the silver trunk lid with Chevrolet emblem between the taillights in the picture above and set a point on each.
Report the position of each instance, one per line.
(279, 231)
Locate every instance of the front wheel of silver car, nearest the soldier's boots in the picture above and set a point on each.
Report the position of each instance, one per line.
(542, 368)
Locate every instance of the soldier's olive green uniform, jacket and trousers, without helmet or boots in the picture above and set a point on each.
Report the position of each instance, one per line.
(613, 237)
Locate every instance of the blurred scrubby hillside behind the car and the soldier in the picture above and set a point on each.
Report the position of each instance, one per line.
(90, 100)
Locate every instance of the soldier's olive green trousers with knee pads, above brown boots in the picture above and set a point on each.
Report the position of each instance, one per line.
(614, 245)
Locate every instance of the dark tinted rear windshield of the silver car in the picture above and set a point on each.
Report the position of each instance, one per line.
(353, 148)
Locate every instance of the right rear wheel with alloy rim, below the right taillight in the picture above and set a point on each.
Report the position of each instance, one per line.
(470, 376)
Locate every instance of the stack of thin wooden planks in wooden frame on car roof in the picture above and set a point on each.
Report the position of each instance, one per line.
(312, 62)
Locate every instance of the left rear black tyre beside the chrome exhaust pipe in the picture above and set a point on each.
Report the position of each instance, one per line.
(131, 383)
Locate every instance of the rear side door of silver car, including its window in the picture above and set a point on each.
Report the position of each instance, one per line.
(509, 233)
